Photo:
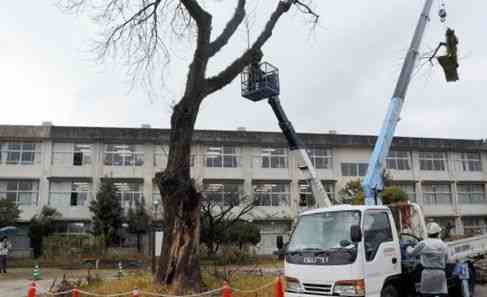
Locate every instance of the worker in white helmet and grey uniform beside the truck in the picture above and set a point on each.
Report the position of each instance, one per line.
(433, 254)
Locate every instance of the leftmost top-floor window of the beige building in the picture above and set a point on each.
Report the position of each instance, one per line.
(18, 153)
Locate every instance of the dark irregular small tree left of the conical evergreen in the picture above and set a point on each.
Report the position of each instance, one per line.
(40, 226)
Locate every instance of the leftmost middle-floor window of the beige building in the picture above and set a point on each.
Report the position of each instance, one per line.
(22, 193)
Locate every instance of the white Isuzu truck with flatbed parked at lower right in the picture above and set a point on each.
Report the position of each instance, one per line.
(347, 250)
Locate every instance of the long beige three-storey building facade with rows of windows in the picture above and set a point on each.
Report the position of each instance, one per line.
(62, 167)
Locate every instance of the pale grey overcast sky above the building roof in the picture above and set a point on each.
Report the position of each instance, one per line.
(338, 77)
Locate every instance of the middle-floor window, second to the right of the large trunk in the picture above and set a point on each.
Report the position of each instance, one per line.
(271, 194)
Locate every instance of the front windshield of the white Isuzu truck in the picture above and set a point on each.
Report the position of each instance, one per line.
(325, 234)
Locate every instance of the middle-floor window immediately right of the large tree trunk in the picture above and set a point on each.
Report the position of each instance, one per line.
(223, 193)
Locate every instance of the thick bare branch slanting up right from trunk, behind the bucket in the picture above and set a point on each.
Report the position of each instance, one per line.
(236, 67)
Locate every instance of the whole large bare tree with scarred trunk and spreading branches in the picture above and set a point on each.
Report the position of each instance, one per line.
(139, 31)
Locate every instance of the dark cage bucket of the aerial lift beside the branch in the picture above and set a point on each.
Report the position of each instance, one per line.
(260, 81)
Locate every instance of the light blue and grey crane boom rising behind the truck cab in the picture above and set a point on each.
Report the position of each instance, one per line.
(373, 182)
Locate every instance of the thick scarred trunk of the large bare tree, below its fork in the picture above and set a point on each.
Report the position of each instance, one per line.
(179, 267)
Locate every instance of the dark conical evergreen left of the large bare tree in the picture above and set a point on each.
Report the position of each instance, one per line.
(107, 211)
